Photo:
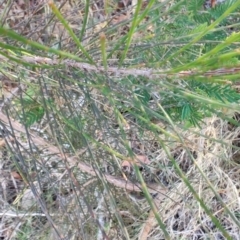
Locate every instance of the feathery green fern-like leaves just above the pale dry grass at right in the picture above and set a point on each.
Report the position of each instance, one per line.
(181, 108)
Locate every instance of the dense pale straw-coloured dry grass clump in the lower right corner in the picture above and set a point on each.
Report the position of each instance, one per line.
(182, 213)
